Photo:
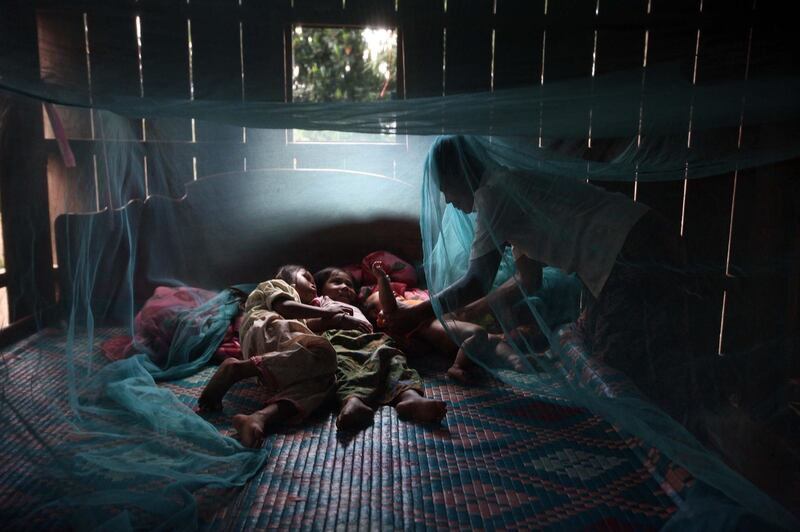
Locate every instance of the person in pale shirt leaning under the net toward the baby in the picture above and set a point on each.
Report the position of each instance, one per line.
(624, 253)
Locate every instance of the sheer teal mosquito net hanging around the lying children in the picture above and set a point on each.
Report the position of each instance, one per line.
(136, 456)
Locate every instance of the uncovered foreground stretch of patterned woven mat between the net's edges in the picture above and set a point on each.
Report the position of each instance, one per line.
(499, 460)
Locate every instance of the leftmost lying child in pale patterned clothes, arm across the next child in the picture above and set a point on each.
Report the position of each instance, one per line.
(280, 347)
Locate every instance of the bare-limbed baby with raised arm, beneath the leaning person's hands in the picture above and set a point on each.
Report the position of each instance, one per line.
(469, 337)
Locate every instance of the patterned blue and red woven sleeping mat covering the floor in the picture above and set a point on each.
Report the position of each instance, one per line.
(501, 459)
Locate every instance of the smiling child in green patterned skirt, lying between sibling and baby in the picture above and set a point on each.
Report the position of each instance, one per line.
(370, 371)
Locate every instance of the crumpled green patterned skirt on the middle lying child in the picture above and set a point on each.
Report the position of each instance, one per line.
(370, 367)
